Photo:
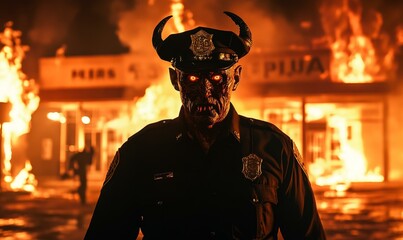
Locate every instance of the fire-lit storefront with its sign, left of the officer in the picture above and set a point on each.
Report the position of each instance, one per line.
(86, 101)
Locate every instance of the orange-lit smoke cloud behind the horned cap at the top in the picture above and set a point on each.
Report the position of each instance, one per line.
(269, 30)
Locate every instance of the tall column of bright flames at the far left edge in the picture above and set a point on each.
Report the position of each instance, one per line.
(18, 100)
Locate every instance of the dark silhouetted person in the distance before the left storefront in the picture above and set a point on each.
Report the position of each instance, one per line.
(78, 164)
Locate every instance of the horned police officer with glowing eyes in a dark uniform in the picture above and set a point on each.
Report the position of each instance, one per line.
(209, 173)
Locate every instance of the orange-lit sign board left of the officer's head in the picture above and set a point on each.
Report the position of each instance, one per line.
(123, 70)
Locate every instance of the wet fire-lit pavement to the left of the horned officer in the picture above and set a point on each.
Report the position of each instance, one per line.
(52, 212)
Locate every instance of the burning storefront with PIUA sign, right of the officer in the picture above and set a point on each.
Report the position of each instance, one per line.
(347, 132)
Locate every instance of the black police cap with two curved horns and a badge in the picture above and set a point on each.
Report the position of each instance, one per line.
(203, 48)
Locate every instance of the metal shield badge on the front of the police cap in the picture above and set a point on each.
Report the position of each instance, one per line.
(202, 45)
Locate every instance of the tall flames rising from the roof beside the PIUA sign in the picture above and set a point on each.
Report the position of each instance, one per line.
(354, 55)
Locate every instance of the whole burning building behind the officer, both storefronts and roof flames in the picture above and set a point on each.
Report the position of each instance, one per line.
(338, 97)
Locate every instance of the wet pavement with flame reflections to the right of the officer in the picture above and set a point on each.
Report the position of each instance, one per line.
(362, 213)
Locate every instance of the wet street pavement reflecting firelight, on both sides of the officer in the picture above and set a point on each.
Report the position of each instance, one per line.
(53, 212)
